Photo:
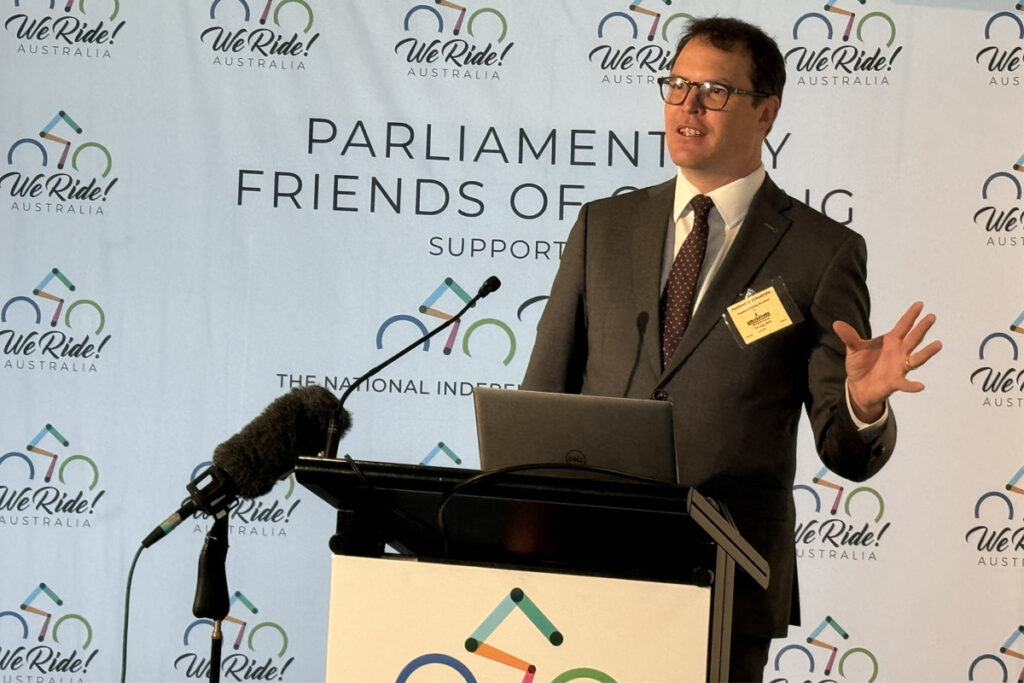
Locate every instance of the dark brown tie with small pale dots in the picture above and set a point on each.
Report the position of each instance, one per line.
(680, 290)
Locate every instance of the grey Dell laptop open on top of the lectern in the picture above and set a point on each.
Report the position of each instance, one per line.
(527, 428)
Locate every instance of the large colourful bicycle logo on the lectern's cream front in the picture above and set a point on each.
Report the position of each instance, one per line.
(477, 645)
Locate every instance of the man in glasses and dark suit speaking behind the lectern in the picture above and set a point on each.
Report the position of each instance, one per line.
(721, 294)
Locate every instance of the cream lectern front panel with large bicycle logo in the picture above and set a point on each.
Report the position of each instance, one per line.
(398, 620)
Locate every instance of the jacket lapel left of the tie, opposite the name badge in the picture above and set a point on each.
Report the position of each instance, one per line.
(651, 231)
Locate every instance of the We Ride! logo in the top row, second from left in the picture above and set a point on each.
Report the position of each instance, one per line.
(276, 35)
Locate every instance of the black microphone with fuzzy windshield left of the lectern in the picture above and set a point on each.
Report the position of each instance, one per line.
(251, 462)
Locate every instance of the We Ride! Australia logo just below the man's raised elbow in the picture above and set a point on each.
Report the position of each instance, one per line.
(839, 522)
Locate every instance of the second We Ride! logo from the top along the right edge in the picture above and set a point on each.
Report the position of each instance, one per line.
(1001, 219)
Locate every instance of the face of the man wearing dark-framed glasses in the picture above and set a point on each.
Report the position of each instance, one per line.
(716, 148)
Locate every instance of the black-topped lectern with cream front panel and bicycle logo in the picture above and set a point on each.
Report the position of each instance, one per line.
(648, 545)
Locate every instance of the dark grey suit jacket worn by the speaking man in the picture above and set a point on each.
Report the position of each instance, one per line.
(736, 410)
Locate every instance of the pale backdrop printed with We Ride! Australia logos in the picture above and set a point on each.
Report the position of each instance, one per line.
(201, 210)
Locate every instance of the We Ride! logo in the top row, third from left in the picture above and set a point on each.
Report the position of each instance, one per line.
(454, 41)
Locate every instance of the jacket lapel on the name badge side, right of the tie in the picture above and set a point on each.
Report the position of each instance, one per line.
(764, 227)
